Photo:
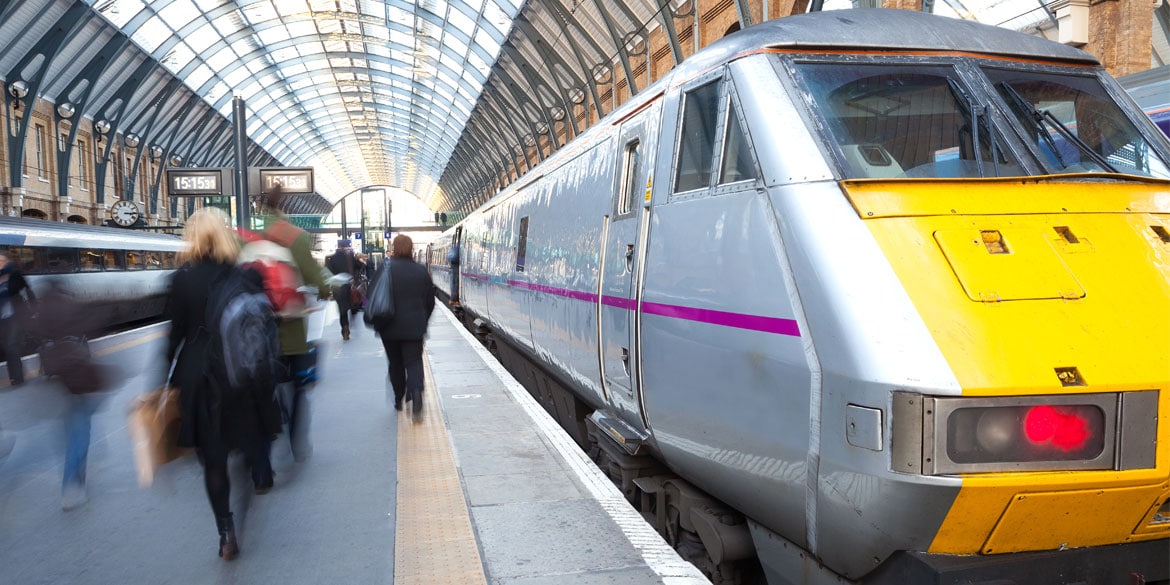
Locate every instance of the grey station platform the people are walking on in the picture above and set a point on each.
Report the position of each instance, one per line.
(484, 490)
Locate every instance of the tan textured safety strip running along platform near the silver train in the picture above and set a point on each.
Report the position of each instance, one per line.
(435, 543)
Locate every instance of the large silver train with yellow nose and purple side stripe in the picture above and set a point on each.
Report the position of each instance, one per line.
(855, 297)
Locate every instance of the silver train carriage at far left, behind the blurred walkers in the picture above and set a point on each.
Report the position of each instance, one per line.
(122, 274)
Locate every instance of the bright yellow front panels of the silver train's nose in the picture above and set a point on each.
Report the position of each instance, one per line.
(1099, 301)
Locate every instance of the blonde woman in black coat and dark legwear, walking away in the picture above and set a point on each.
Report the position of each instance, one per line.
(212, 423)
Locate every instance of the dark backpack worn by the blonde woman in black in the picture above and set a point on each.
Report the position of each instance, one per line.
(244, 350)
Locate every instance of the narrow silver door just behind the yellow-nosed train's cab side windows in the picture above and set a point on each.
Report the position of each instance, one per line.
(621, 259)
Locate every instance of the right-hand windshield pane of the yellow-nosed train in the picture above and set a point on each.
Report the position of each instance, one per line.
(1075, 125)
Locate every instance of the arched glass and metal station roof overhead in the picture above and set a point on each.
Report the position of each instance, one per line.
(448, 100)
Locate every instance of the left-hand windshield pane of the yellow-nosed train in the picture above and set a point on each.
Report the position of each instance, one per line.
(907, 122)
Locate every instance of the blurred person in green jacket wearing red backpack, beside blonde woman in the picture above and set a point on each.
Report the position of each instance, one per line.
(299, 357)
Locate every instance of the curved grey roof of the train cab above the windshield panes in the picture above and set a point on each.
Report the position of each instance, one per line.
(885, 30)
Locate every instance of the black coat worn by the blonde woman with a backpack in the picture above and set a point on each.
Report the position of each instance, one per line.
(209, 419)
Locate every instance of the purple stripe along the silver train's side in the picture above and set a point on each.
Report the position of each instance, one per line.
(732, 320)
